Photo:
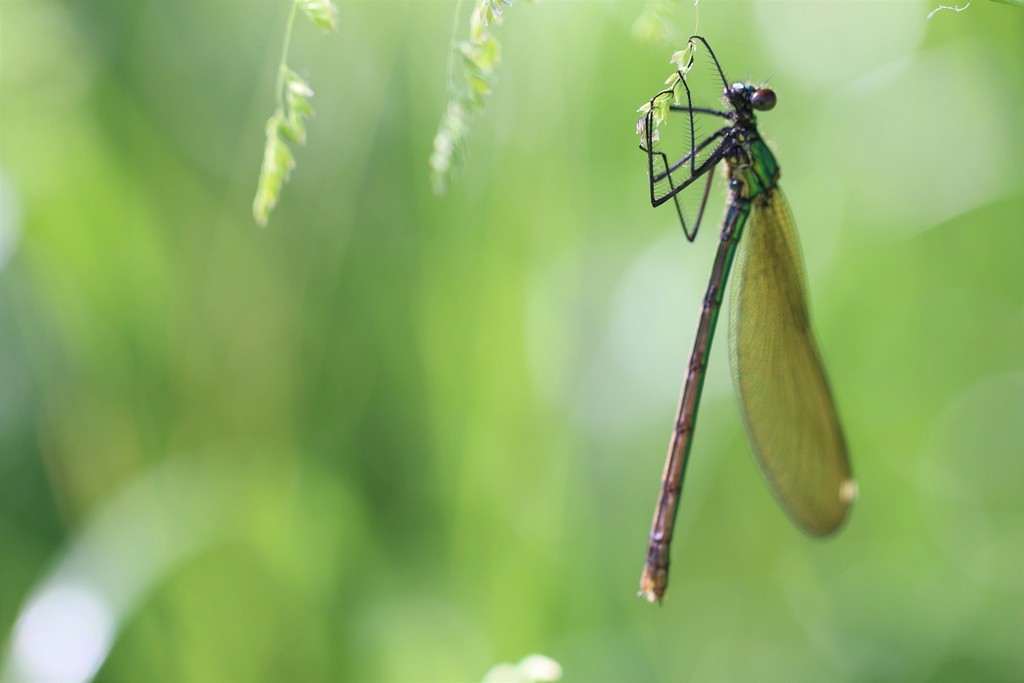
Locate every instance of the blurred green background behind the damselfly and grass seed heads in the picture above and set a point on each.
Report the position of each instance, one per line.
(402, 438)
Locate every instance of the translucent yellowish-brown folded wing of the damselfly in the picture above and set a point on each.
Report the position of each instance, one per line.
(784, 395)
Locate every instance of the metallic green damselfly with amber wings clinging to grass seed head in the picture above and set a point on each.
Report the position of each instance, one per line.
(785, 399)
